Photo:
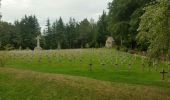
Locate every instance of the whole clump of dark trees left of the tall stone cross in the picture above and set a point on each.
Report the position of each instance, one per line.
(21, 34)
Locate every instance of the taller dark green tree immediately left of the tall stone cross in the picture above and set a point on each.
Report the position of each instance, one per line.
(30, 29)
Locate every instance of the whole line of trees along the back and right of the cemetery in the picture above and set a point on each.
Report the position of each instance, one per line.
(134, 24)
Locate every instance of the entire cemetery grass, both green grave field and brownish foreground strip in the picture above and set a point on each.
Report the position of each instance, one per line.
(112, 74)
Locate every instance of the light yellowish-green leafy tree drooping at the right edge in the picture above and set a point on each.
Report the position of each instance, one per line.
(154, 28)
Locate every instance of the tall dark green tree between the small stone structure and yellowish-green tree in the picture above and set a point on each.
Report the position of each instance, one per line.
(123, 20)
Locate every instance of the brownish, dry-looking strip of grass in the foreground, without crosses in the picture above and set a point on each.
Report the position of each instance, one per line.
(30, 85)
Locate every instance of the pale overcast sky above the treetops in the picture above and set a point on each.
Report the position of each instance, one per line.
(53, 9)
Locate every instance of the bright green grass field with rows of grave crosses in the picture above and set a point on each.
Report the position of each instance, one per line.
(68, 62)
